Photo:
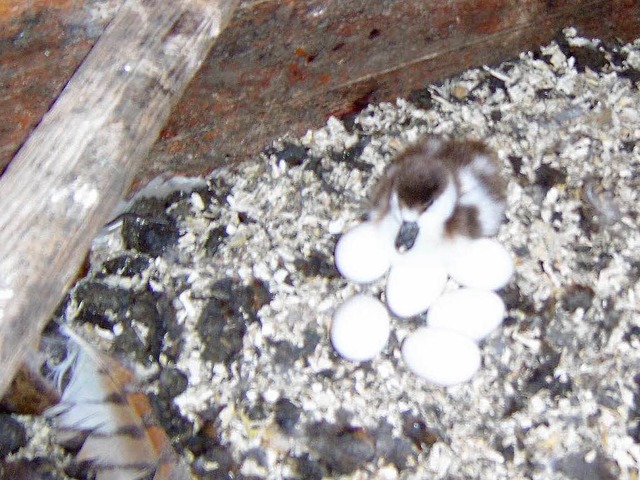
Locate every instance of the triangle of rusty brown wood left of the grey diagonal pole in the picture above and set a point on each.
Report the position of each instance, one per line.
(41, 44)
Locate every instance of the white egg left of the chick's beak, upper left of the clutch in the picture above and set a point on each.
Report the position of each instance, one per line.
(363, 254)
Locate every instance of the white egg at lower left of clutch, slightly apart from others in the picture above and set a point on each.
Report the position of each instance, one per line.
(360, 328)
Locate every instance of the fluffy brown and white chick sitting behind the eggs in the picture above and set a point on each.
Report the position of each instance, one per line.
(441, 189)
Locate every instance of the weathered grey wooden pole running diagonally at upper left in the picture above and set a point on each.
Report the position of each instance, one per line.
(66, 179)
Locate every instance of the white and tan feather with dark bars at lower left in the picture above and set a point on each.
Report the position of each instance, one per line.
(122, 441)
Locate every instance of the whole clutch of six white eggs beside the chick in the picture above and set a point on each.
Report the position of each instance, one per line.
(445, 351)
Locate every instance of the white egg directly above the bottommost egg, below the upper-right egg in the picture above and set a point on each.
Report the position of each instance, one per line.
(471, 312)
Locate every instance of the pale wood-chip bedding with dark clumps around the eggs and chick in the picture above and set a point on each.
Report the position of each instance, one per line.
(221, 294)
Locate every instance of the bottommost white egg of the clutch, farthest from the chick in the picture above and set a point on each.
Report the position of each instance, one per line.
(441, 356)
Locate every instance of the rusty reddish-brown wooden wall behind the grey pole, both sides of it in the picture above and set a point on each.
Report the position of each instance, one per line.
(285, 66)
